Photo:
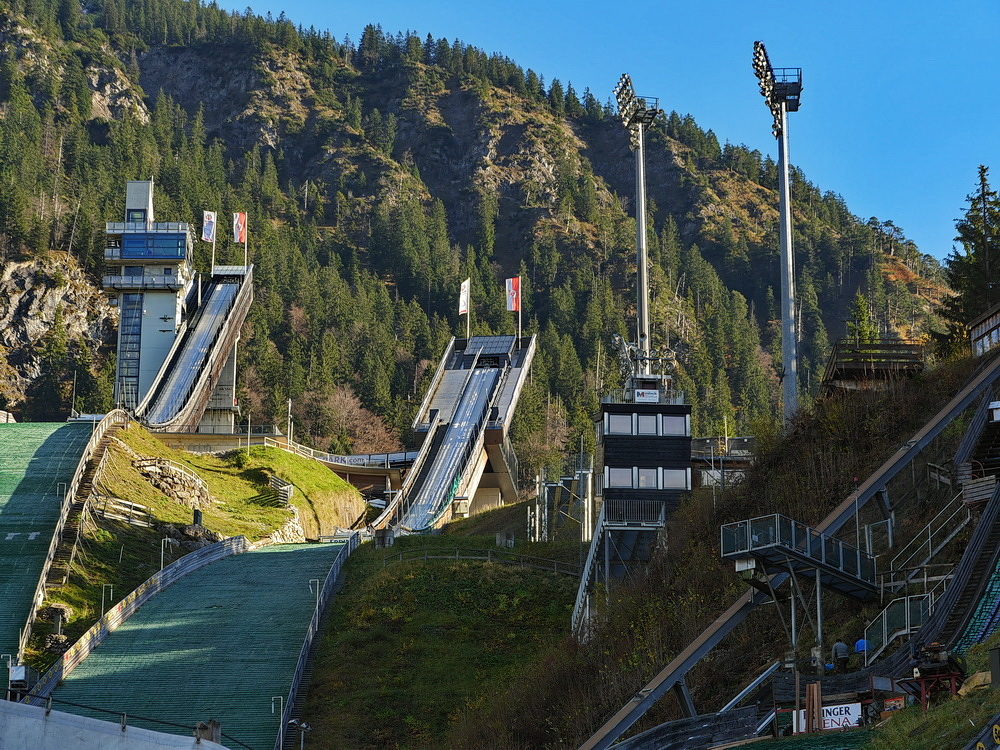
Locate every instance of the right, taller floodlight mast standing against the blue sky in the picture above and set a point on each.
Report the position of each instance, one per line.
(781, 90)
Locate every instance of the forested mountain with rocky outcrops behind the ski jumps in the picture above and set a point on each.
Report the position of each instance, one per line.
(378, 174)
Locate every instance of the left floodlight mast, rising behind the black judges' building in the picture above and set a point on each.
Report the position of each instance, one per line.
(636, 113)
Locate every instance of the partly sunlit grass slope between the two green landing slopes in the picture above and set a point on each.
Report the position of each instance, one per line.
(114, 558)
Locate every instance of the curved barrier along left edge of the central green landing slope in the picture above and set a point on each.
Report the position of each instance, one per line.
(120, 612)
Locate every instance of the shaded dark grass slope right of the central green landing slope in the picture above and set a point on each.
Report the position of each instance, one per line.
(411, 647)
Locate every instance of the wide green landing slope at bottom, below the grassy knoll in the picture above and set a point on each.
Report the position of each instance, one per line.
(220, 643)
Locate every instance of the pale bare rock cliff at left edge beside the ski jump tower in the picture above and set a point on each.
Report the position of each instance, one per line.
(30, 294)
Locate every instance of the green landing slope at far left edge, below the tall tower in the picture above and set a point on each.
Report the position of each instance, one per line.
(35, 458)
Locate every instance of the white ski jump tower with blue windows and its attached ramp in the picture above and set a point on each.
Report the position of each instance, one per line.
(168, 322)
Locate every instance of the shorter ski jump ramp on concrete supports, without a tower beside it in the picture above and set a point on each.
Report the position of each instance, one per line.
(466, 463)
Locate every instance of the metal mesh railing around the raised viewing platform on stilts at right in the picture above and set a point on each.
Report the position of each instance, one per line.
(776, 530)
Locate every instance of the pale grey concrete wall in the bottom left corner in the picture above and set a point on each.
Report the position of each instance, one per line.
(24, 727)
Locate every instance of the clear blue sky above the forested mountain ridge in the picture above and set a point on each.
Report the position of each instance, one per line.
(900, 101)
